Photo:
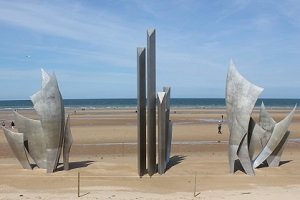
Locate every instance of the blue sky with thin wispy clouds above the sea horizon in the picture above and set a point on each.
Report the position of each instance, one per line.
(91, 45)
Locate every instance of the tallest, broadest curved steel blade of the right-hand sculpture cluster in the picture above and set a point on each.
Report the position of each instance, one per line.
(241, 96)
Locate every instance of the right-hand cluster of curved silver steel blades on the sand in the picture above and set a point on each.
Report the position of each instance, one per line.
(247, 136)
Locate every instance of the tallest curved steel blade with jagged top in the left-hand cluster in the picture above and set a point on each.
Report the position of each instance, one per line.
(49, 105)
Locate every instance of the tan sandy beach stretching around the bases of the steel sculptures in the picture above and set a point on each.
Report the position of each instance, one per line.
(104, 152)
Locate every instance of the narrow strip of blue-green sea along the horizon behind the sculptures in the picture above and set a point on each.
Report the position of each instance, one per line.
(203, 103)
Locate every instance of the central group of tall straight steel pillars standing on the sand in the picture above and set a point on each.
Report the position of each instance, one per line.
(164, 124)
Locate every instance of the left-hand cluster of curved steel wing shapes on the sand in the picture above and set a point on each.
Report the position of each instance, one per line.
(43, 139)
